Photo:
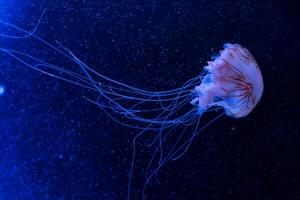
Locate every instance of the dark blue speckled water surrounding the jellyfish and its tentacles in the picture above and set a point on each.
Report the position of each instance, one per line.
(56, 145)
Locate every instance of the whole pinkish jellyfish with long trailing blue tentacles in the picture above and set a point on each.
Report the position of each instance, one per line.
(230, 84)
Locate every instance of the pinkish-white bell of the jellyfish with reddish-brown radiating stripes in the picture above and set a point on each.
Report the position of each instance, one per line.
(233, 82)
